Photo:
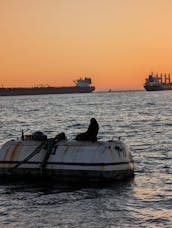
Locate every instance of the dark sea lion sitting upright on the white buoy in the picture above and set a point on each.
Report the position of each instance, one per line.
(91, 133)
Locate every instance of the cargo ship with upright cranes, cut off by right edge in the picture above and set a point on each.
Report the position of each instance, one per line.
(158, 82)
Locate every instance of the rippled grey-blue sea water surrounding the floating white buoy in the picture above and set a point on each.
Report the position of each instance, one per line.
(142, 119)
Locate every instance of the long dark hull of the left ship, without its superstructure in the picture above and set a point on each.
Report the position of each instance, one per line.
(45, 90)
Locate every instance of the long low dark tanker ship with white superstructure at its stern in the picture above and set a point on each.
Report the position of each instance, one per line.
(82, 85)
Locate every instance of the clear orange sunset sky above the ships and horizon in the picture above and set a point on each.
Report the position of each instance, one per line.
(115, 42)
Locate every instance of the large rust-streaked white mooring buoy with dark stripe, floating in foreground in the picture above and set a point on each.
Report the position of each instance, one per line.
(100, 161)
